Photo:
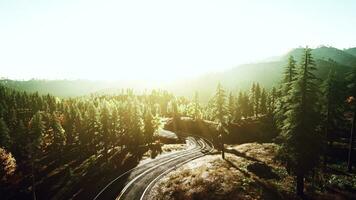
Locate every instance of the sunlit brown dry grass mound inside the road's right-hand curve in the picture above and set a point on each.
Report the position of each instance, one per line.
(236, 177)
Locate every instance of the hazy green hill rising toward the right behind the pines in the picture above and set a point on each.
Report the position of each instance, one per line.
(269, 74)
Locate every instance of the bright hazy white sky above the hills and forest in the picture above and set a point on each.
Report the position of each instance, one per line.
(160, 40)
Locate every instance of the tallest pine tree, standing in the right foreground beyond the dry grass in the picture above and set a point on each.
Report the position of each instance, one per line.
(302, 141)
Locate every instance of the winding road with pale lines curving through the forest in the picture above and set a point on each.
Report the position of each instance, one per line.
(137, 182)
